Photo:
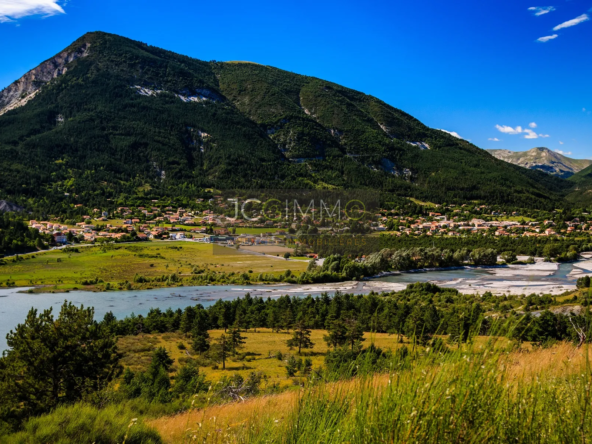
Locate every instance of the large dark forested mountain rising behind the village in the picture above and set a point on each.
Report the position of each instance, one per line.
(110, 119)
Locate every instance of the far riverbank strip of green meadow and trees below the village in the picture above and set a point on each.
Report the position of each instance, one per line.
(169, 264)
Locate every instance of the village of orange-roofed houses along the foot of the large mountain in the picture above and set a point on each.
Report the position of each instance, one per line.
(214, 225)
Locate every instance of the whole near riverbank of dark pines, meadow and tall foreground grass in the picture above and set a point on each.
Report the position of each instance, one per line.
(133, 371)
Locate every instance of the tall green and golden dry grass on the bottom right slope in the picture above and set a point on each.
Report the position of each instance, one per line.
(540, 395)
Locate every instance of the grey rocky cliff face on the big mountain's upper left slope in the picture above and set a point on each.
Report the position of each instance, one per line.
(24, 89)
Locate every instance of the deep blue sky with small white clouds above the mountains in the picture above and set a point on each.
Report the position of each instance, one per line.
(501, 73)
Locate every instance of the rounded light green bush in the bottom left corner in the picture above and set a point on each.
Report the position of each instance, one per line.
(80, 424)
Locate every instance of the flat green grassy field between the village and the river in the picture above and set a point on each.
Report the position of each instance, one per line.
(116, 263)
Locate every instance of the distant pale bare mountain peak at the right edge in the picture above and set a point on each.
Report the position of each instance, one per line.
(543, 159)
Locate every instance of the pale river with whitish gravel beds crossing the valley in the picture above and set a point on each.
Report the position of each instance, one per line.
(524, 279)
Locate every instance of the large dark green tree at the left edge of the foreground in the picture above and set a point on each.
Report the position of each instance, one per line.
(53, 361)
